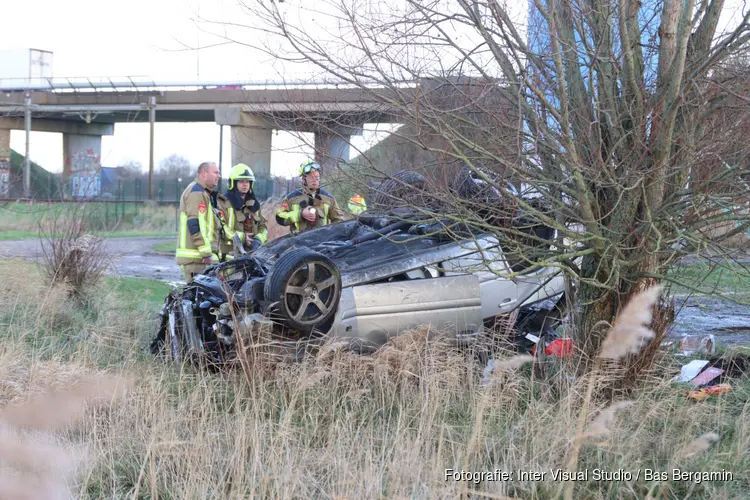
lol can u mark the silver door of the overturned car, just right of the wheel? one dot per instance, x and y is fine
(371, 314)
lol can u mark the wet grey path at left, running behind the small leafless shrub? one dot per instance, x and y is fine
(132, 257)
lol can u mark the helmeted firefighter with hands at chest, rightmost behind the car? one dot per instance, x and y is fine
(309, 207)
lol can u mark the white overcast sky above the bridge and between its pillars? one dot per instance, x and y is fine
(155, 39)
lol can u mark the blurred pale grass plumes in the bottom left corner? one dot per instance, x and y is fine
(38, 463)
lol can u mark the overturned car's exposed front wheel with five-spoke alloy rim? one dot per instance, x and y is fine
(307, 287)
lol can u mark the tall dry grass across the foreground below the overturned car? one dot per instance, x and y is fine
(344, 426)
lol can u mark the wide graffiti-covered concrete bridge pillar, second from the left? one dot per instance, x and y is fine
(82, 165)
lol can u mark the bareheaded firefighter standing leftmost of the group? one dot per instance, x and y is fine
(195, 244)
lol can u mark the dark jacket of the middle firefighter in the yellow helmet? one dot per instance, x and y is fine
(240, 215)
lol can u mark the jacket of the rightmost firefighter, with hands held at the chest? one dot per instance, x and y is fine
(290, 211)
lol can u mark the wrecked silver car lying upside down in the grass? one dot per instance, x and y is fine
(362, 281)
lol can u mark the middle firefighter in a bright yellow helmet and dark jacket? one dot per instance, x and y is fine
(240, 214)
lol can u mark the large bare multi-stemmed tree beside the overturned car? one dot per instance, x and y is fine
(606, 107)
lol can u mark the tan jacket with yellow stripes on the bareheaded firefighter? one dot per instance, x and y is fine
(197, 225)
